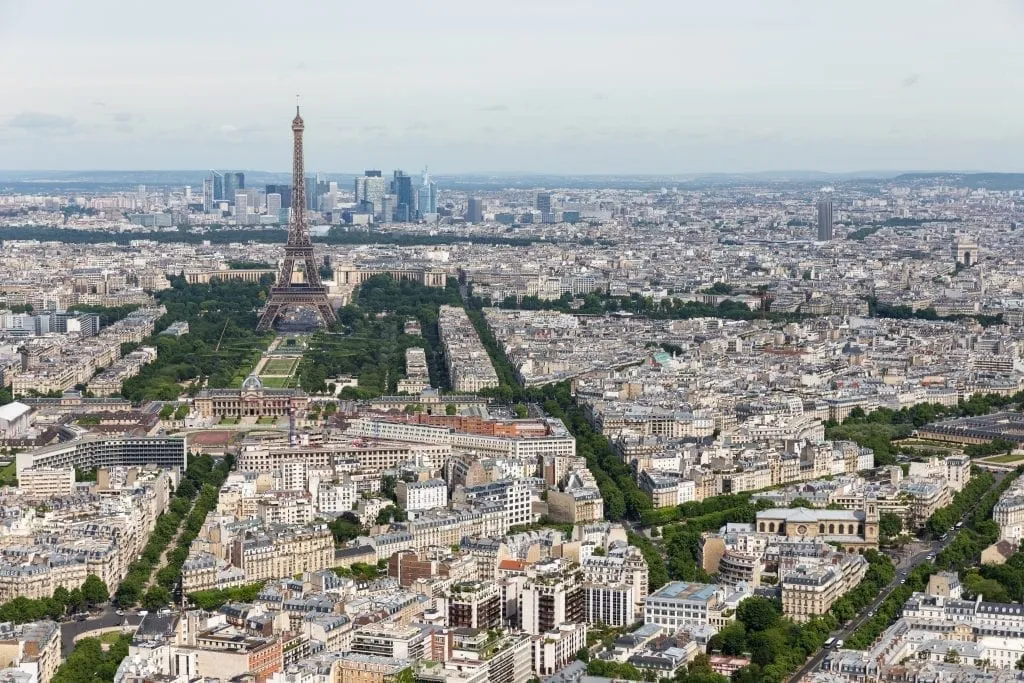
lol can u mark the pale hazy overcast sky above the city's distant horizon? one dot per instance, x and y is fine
(576, 87)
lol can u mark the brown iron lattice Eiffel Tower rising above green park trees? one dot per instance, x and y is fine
(300, 284)
